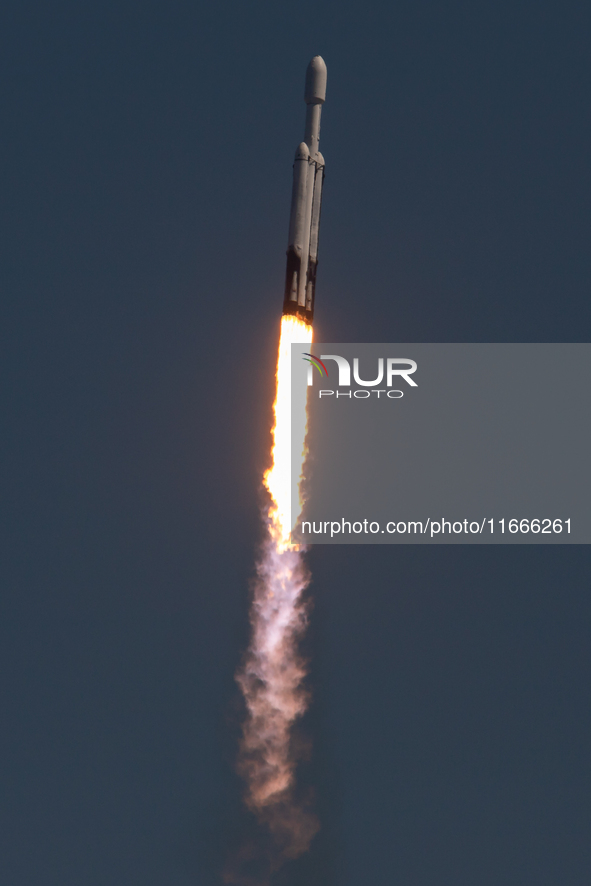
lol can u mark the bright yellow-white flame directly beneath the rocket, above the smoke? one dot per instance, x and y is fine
(278, 478)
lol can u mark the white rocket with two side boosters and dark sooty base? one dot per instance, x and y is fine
(306, 196)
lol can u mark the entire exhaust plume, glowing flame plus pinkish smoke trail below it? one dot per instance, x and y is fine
(272, 675)
